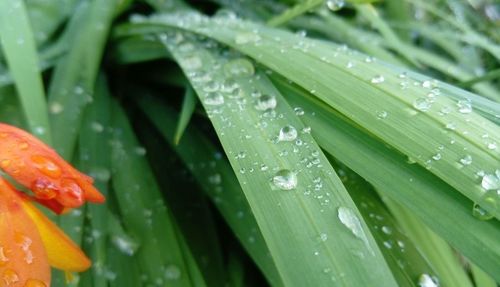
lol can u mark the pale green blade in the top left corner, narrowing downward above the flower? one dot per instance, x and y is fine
(19, 47)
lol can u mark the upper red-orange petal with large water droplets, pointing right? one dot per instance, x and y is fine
(54, 182)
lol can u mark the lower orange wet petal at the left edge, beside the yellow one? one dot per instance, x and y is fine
(23, 260)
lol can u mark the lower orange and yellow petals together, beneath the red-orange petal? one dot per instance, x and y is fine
(30, 243)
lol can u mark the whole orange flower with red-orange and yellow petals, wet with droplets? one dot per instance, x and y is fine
(29, 242)
